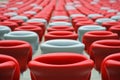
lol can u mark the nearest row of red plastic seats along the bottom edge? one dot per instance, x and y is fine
(63, 65)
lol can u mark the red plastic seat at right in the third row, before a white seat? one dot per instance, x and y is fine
(92, 36)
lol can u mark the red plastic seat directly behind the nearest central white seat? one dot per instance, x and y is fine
(60, 35)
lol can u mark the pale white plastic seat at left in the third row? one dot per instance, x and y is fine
(28, 36)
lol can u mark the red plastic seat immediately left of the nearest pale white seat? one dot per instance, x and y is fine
(20, 50)
